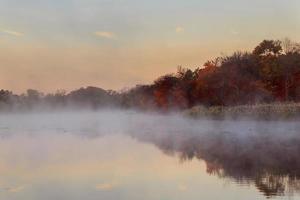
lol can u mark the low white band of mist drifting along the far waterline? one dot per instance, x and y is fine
(116, 121)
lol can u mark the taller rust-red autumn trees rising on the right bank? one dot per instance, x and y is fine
(271, 72)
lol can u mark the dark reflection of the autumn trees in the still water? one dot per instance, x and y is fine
(270, 161)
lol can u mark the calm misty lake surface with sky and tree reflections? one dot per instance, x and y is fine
(125, 155)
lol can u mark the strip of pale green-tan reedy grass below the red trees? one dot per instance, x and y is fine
(275, 111)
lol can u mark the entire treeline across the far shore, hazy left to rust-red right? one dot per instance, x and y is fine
(270, 73)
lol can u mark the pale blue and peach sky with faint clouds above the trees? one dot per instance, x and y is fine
(116, 44)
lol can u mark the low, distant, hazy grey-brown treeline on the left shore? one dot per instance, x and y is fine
(83, 98)
